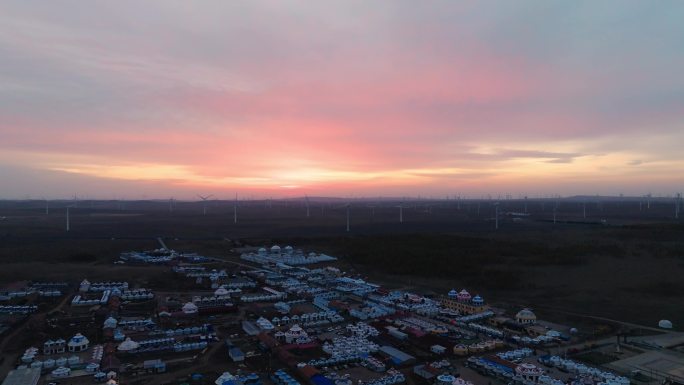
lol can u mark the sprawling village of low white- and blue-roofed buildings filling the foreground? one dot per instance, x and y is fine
(283, 316)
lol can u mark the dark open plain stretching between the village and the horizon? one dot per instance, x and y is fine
(624, 261)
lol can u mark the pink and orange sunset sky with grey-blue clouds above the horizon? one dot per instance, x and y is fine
(174, 98)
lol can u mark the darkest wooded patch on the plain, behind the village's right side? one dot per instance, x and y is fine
(497, 261)
